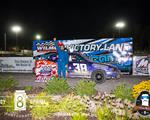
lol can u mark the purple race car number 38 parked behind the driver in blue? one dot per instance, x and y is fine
(78, 66)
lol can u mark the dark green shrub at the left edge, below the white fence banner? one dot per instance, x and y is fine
(8, 84)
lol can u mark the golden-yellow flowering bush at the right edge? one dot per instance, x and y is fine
(142, 86)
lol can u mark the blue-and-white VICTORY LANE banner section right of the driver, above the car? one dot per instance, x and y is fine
(116, 51)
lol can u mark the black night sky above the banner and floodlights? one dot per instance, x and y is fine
(74, 19)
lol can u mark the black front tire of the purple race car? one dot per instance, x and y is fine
(98, 76)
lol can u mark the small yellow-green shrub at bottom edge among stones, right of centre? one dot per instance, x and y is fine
(104, 113)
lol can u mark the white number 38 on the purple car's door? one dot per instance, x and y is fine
(80, 67)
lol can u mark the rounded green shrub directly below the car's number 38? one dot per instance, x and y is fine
(85, 88)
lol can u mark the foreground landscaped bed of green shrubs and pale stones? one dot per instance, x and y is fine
(80, 104)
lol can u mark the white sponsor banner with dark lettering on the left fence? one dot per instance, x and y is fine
(16, 64)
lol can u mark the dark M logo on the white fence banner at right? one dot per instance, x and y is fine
(142, 65)
